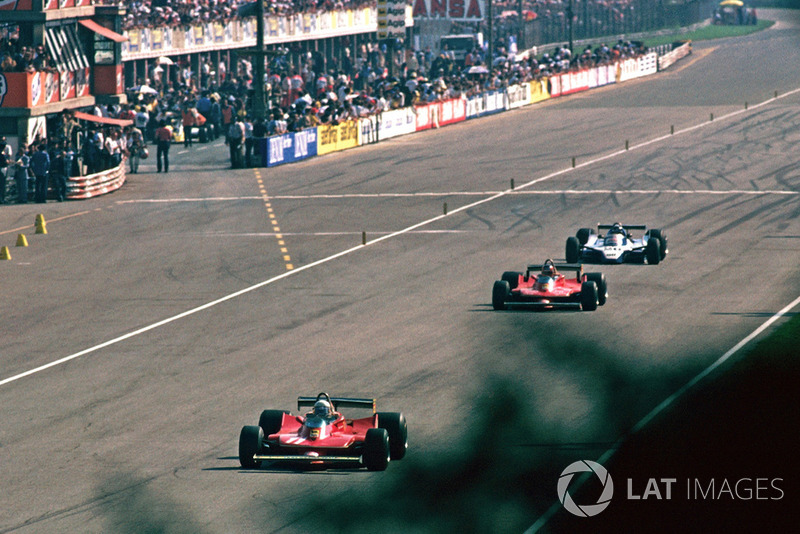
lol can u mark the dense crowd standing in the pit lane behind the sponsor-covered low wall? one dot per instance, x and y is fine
(299, 97)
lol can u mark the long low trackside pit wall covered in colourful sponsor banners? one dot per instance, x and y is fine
(291, 147)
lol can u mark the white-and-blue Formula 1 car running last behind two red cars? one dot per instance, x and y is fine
(618, 245)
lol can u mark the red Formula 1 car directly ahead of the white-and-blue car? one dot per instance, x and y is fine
(544, 286)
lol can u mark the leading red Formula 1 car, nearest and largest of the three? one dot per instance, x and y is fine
(324, 437)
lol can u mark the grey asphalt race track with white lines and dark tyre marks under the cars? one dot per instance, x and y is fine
(175, 319)
